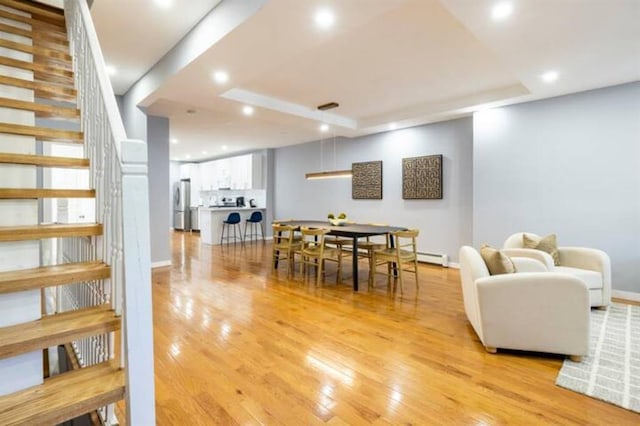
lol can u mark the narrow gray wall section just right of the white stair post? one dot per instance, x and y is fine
(159, 200)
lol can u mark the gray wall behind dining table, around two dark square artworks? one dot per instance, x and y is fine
(444, 224)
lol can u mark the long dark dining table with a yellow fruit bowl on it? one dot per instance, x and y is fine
(351, 230)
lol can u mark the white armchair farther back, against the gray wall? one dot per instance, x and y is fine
(590, 265)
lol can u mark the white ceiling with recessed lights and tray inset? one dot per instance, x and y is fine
(403, 61)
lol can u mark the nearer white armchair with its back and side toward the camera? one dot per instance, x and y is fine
(532, 311)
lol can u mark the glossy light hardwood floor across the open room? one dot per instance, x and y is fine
(238, 344)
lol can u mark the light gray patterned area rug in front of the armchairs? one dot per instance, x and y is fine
(611, 372)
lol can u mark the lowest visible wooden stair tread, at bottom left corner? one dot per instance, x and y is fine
(64, 396)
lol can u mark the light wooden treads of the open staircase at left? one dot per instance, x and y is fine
(68, 395)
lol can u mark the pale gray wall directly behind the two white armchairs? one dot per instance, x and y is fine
(568, 165)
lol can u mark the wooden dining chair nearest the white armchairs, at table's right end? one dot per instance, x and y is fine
(403, 257)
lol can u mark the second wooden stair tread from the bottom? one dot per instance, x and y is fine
(52, 330)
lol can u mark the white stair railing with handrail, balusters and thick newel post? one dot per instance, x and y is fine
(119, 175)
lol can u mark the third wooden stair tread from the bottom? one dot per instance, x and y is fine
(47, 276)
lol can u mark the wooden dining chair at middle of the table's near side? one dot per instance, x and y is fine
(314, 253)
